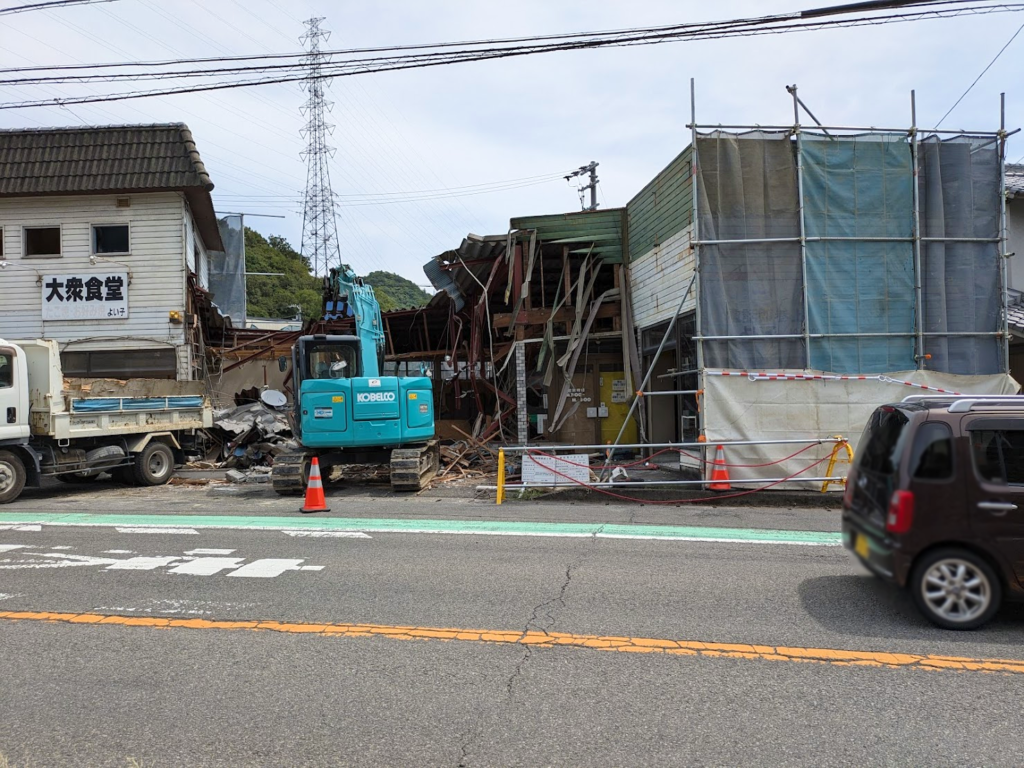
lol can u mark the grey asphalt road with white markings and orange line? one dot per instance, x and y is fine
(91, 677)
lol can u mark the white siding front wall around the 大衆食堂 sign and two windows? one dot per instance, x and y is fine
(156, 267)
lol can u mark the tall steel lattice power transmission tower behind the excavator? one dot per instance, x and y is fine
(320, 227)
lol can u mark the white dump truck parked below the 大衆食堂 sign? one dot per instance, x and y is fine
(75, 430)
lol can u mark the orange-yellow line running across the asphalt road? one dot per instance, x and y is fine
(552, 639)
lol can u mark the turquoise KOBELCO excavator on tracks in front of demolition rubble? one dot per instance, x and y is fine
(346, 411)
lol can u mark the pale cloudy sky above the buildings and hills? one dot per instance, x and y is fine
(452, 134)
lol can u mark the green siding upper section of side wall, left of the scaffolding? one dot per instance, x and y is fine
(662, 208)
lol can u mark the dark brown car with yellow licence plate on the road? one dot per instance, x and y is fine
(935, 503)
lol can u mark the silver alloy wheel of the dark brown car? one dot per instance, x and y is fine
(956, 589)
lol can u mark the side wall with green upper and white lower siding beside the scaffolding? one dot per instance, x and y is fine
(661, 254)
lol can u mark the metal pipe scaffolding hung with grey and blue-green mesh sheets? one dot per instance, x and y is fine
(775, 241)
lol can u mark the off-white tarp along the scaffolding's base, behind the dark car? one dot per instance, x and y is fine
(742, 407)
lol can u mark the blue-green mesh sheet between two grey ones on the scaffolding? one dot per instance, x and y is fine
(860, 187)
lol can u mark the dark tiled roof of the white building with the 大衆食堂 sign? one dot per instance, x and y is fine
(89, 160)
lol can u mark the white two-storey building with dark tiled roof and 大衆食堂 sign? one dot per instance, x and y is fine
(103, 230)
